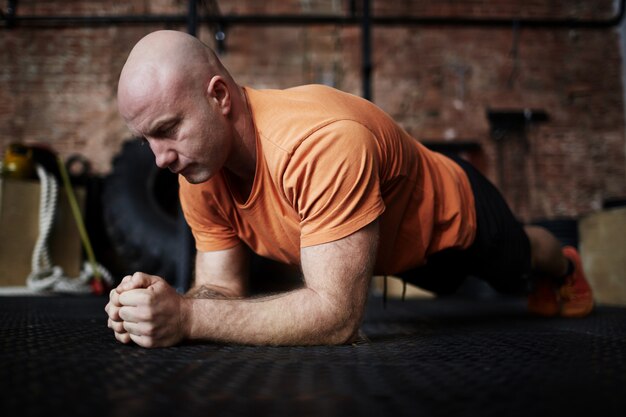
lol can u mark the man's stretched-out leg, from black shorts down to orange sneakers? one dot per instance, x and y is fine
(506, 255)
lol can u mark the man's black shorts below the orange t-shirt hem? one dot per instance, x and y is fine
(500, 253)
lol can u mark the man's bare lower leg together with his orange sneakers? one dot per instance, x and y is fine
(560, 285)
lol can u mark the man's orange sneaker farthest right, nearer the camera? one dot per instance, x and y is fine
(575, 293)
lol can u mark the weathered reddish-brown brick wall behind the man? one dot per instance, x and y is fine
(57, 85)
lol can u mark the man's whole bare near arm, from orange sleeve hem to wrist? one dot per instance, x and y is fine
(327, 311)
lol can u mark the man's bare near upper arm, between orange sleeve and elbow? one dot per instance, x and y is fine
(341, 271)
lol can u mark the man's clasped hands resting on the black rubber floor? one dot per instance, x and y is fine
(146, 310)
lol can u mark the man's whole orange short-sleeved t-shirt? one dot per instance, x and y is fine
(328, 164)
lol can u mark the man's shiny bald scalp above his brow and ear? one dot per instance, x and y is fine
(162, 61)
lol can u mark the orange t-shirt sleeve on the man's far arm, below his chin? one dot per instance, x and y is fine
(209, 226)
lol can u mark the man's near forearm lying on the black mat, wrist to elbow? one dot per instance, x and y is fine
(301, 317)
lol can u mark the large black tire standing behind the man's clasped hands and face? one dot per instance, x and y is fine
(142, 215)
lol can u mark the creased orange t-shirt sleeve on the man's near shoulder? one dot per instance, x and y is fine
(332, 181)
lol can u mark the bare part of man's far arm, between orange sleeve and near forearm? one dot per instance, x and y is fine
(226, 270)
